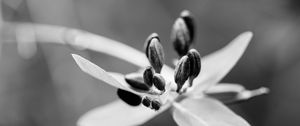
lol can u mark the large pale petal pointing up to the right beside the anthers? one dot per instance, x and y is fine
(216, 65)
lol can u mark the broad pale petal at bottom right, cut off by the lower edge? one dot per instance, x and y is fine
(211, 111)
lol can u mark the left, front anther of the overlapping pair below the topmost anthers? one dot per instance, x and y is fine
(182, 72)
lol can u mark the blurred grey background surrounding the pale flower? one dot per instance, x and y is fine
(40, 84)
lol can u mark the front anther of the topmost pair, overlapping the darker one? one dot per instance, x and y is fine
(180, 37)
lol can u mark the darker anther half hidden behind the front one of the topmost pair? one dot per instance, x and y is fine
(190, 23)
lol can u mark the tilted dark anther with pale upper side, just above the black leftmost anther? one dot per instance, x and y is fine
(136, 81)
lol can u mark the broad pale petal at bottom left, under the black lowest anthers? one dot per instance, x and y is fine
(119, 113)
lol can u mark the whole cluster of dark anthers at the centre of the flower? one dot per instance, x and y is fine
(151, 82)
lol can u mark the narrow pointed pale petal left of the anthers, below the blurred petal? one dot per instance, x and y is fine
(97, 72)
